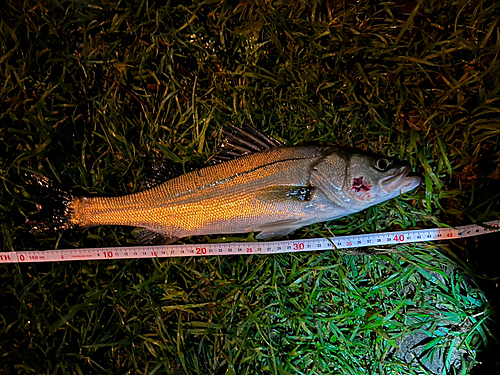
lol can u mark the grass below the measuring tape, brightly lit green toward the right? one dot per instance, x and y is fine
(405, 310)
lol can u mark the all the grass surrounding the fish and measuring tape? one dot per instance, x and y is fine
(92, 92)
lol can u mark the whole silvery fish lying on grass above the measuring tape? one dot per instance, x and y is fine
(259, 185)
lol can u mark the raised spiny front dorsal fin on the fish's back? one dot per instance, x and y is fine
(243, 142)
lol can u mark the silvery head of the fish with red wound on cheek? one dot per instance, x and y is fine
(371, 180)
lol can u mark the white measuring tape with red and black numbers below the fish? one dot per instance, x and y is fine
(238, 248)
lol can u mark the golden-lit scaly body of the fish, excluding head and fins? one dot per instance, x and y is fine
(220, 196)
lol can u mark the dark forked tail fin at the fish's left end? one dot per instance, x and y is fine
(53, 204)
